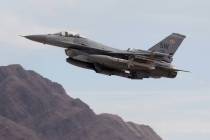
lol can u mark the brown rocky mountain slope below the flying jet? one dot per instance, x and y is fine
(33, 107)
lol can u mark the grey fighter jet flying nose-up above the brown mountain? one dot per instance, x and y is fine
(132, 63)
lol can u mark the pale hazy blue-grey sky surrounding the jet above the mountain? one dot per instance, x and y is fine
(176, 108)
